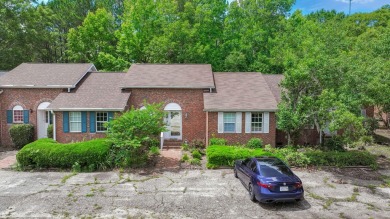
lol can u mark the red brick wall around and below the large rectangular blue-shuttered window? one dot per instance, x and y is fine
(73, 137)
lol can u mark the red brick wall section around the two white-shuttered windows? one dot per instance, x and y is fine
(242, 138)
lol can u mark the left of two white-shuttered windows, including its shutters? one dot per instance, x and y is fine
(229, 122)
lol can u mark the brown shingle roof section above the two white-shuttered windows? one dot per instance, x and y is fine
(240, 92)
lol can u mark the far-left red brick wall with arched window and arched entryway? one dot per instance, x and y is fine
(29, 98)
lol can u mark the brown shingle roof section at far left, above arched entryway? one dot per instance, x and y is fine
(33, 75)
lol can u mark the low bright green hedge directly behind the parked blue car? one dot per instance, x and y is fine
(220, 155)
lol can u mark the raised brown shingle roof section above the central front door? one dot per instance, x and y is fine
(169, 76)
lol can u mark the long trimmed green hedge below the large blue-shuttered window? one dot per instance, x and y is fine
(47, 153)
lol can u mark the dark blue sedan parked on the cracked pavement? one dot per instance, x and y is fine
(268, 179)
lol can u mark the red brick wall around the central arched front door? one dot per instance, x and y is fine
(190, 101)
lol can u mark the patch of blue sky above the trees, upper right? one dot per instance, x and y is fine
(308, 6)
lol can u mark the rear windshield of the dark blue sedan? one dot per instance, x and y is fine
(273, 168)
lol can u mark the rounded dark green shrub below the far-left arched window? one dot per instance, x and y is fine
(22, 134)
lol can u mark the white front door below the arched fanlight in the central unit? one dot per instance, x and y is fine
(173, 124)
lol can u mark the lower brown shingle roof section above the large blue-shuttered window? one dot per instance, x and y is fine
(99, 92)
